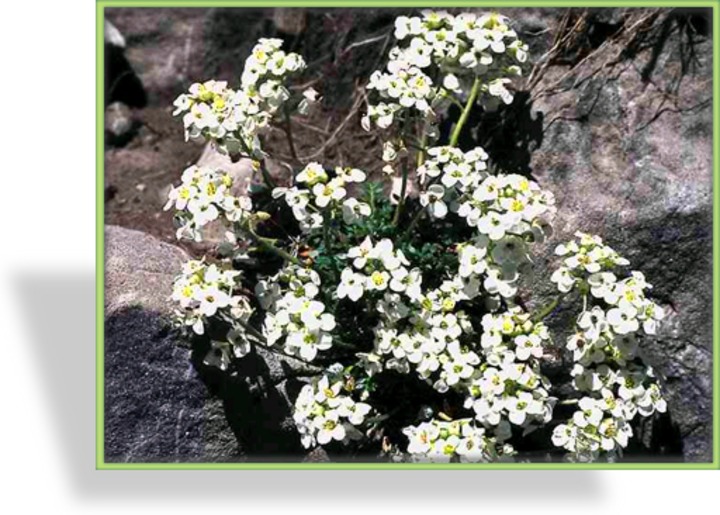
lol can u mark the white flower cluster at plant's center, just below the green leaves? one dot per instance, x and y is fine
(375, 268)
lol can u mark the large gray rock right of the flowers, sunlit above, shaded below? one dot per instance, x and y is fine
(628, 153)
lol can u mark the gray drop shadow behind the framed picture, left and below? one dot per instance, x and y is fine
(63, 344)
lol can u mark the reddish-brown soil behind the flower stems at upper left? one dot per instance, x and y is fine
(169, 49)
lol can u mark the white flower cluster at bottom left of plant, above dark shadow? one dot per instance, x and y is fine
(325, 412)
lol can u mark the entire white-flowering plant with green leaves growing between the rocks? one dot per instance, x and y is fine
(413, 296)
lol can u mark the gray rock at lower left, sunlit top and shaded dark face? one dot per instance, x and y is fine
(157, 408)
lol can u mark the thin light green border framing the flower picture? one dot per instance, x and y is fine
(100, 236)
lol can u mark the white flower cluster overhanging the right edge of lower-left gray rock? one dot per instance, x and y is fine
(202, 291)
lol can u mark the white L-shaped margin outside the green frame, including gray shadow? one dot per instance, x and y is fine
(47, 212)
